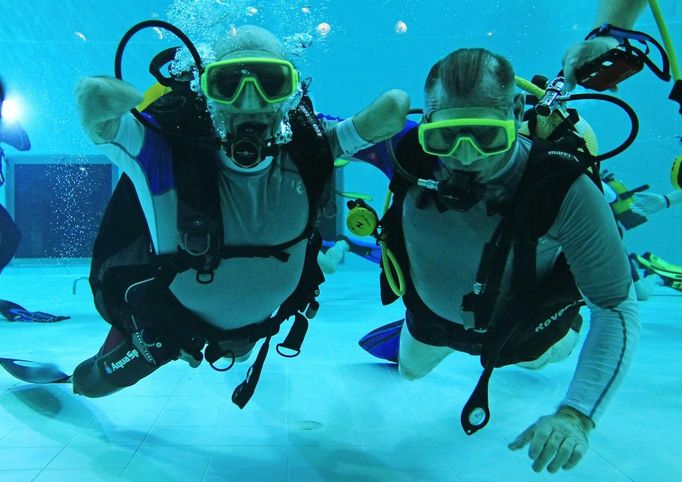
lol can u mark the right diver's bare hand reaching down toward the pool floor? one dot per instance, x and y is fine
(562, 436)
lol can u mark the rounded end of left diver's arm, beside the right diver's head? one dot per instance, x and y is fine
(384, 118)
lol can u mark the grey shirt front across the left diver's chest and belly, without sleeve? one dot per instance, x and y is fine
(263, 208)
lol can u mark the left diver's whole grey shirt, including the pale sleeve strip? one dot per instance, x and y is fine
(263, 206)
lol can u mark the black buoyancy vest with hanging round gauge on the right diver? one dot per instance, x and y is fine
(536, 315)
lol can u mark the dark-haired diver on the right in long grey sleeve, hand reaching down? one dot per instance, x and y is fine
(494, 242)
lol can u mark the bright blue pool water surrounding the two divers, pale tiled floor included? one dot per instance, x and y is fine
(46, 46)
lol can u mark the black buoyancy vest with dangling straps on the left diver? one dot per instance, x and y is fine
(131, 283)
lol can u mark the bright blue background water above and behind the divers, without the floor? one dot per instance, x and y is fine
(46, 47)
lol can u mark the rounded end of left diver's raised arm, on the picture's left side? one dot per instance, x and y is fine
(102, 101)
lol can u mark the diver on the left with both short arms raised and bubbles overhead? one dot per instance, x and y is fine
(213, 228)
